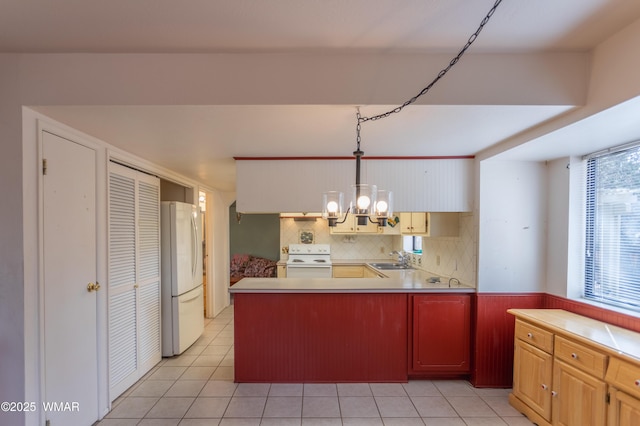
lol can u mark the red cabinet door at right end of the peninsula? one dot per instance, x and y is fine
(441, 335)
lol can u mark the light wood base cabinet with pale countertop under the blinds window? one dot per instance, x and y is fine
(571, 370)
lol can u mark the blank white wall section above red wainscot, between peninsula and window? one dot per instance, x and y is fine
(512, 227)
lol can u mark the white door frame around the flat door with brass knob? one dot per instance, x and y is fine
(33, 126)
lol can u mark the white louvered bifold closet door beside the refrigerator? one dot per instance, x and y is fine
(134, 276)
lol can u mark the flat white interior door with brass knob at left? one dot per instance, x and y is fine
(69, 261)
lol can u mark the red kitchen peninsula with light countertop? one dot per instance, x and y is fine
(291, 330)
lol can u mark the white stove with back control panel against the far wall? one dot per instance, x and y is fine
(309, 261)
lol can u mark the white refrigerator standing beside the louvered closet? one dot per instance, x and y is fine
(182, 294)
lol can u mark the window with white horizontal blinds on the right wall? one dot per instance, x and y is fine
(612, 256)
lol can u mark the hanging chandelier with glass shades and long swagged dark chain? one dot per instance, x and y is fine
(367, 200)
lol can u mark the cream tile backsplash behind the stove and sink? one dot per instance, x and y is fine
(443, 256)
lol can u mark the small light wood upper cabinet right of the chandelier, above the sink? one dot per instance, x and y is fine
(430, 224)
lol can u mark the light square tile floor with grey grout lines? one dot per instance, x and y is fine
(197, 388)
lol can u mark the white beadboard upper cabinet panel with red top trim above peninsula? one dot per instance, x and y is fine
(276, 185)
